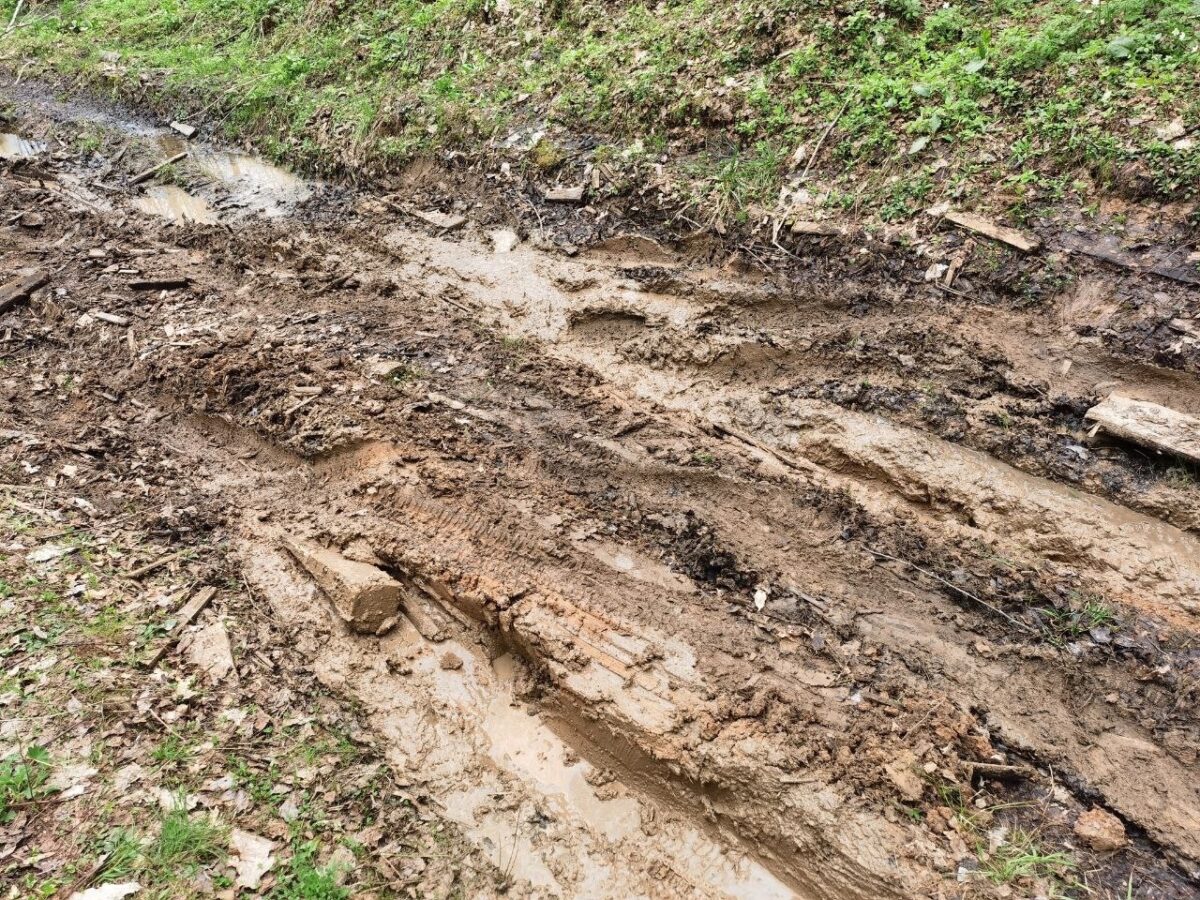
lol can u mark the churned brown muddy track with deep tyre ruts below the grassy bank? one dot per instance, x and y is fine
(763, 572)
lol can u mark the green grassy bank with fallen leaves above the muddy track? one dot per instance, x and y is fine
(1024, 101)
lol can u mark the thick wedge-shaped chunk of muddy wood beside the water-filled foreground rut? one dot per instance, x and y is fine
(367, 598)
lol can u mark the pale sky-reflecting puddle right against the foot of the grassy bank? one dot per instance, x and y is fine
(254, 184)
